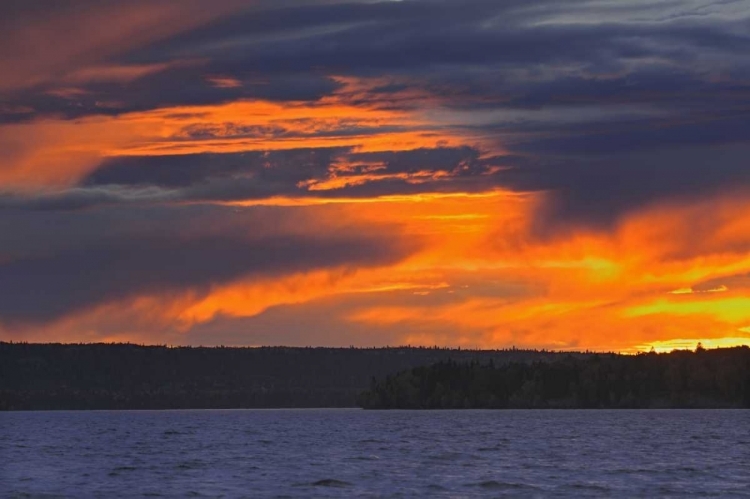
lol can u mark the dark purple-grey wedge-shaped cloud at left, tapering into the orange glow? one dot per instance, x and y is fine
(44, 278)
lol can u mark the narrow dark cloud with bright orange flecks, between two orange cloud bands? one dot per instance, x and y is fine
(257, 175)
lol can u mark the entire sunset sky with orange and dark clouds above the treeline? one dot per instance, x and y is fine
(567, 175)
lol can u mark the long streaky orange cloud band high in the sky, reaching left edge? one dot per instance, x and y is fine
(54, 152)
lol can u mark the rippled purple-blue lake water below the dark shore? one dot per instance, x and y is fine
(354, 453)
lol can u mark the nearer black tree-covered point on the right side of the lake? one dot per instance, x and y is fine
(704, 378)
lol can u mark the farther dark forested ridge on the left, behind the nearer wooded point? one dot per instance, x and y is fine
(124, 376)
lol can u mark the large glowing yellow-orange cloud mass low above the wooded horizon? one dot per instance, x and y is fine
(482, 280)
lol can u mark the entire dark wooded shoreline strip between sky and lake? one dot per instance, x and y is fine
(114, 377)
